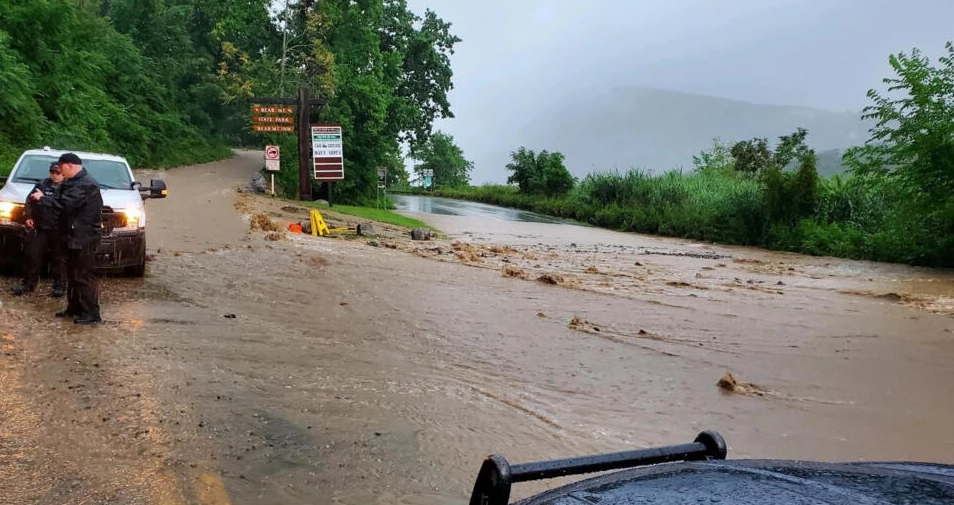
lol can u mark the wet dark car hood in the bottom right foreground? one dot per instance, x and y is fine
(737, 482)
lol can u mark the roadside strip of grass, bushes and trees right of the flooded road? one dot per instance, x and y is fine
(895, 204)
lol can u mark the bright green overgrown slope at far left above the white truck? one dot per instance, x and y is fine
(92, 88)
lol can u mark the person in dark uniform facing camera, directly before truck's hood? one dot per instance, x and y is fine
(44, 239)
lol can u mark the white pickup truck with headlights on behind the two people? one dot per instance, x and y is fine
(124, 212)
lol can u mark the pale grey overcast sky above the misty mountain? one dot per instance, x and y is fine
(519, 57)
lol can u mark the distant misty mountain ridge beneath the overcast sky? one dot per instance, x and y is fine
(659, 130)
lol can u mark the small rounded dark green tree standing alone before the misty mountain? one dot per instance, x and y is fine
(540, 174)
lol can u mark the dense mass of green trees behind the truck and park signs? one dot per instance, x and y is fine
(168, 82)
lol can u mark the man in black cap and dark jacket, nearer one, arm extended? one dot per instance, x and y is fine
(80, 207)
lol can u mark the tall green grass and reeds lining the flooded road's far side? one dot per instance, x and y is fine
(847, 217)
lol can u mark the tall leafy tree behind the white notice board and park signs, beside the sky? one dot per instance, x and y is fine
(391, 77)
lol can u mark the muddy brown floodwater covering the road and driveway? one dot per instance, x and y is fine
(253, 367)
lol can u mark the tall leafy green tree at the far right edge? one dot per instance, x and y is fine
(911, 149)
